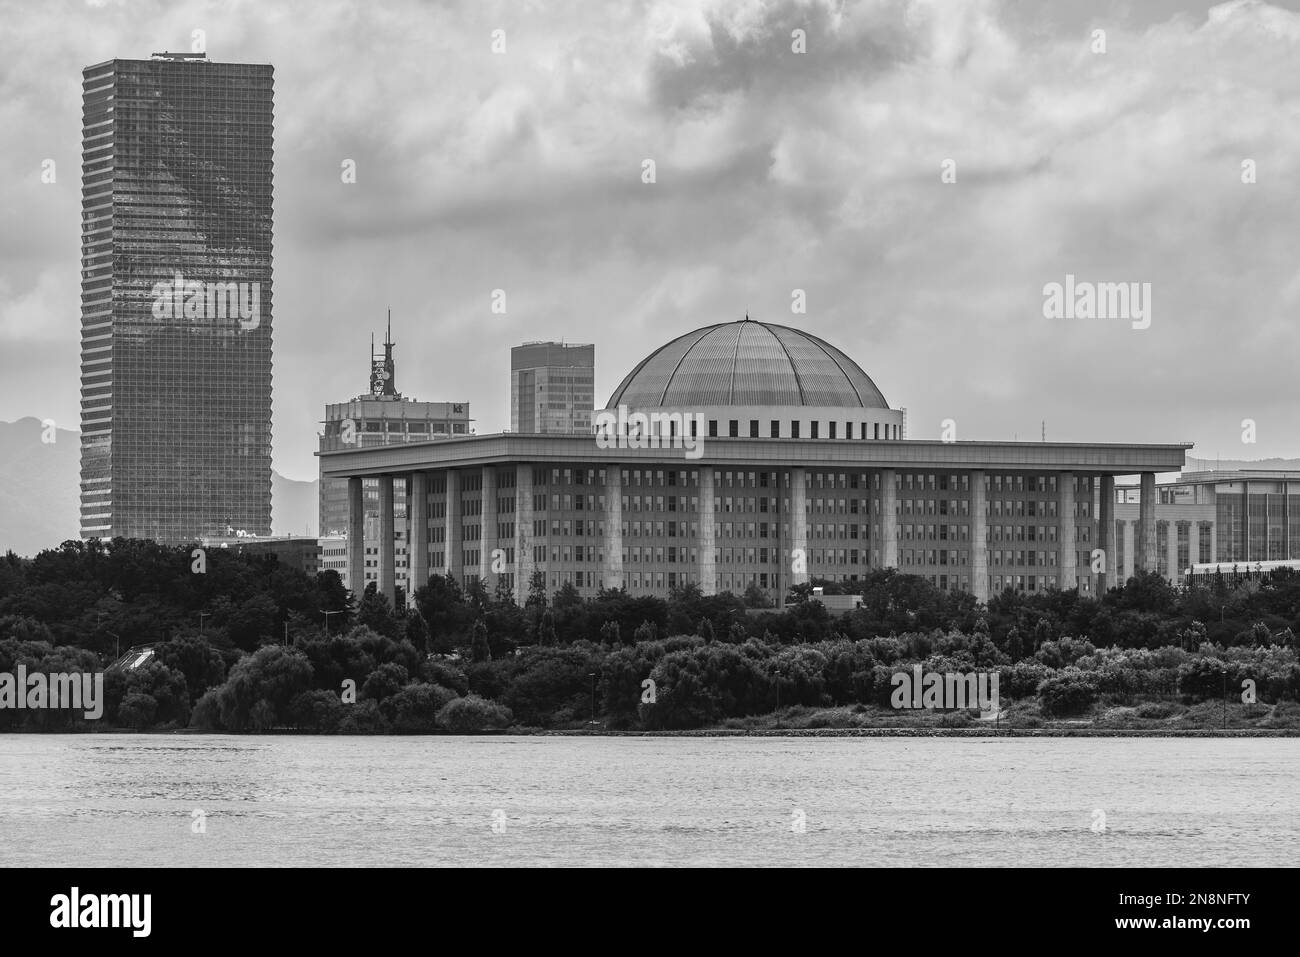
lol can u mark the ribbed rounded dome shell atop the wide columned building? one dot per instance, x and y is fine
(748, 363)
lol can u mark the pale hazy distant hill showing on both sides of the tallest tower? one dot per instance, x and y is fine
(41, 487)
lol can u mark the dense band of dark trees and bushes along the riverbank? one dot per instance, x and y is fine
(249, 646)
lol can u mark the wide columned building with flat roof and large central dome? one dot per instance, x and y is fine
(752, 456)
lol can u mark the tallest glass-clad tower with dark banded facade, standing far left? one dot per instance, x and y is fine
(176, 298)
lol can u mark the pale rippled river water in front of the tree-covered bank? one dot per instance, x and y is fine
(135, 800)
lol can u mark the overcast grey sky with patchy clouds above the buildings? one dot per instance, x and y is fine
(775, 171)
